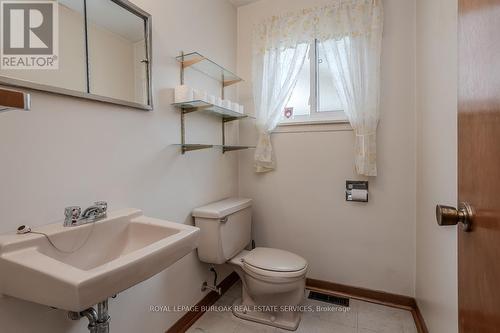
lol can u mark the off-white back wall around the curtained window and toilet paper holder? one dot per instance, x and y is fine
(301, 207)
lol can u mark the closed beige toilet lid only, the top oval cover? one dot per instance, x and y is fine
(274, 260)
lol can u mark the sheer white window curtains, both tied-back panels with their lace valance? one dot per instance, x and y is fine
(351, 33)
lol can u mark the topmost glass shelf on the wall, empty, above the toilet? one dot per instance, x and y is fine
(208, 67)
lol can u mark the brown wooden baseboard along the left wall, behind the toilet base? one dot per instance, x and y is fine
(186, 321)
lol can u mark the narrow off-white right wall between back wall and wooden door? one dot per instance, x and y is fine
(436, 280)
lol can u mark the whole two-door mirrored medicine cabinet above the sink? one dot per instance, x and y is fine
(104, 53)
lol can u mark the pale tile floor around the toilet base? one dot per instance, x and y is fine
(361, 317)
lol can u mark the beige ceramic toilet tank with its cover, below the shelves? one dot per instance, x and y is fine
(225, 229)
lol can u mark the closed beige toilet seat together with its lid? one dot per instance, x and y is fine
(274, 263)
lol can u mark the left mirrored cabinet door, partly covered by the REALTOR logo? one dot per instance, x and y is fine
(71, 74)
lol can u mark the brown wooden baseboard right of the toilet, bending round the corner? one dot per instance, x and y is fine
(373, 296)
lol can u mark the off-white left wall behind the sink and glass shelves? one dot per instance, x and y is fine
(68, 151)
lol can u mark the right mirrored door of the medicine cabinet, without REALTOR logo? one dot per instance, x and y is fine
(118, 66)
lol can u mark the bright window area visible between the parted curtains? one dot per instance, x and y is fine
(314, 98)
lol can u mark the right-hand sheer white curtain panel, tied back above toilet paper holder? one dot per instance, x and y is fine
(354, 61)
